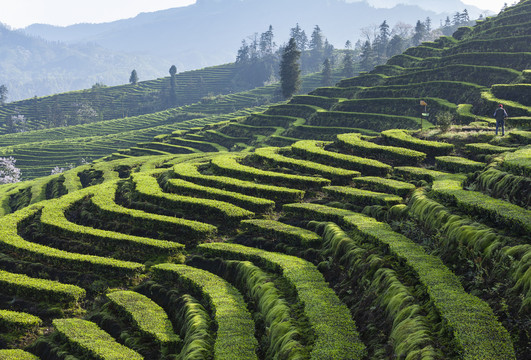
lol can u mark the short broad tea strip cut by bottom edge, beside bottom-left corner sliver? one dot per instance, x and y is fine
(88, 339)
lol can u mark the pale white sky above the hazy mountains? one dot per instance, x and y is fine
(21, 13)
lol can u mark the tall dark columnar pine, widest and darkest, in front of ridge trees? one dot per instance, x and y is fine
(290, 69)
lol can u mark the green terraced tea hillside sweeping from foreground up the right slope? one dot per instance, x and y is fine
(330, 226)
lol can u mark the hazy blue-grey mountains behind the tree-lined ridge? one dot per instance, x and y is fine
(204, 34)
